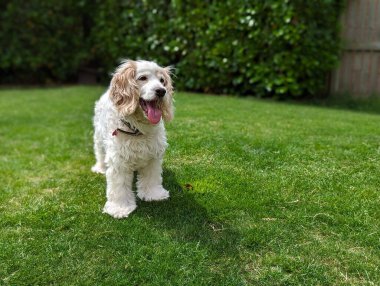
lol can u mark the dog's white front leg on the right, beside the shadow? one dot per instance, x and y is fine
(149, 182)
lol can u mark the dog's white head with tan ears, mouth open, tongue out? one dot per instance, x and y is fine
(143, 89)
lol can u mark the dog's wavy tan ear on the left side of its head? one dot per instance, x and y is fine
(124, 90)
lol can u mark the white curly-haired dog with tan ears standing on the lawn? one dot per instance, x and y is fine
(130, 134)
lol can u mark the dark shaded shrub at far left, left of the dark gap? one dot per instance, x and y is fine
(42, 41)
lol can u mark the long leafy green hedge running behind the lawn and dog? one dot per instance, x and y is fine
(277, 47)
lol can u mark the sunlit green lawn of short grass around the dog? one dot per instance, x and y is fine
(262, 193)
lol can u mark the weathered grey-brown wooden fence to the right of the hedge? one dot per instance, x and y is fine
(359, 71)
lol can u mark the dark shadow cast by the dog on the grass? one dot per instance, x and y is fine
(186, 220)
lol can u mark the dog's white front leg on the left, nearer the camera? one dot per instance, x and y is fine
(120, 198)
